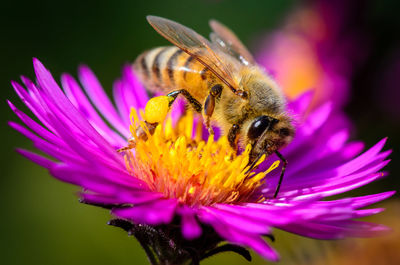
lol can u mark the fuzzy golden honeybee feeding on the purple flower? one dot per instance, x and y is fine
(221, 80)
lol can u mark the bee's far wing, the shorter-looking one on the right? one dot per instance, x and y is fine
(228, 42)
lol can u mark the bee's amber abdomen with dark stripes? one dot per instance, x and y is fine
(169, 68)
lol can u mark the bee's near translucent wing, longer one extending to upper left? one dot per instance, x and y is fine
(195, 45)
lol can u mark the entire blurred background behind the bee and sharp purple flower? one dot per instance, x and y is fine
(356, 41)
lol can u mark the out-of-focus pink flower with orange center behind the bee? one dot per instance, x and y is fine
(317, 49)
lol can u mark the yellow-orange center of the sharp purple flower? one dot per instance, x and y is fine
(194, 171)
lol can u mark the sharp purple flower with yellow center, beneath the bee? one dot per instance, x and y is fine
(149, 188)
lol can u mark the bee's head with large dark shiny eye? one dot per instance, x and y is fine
(267, 134)
